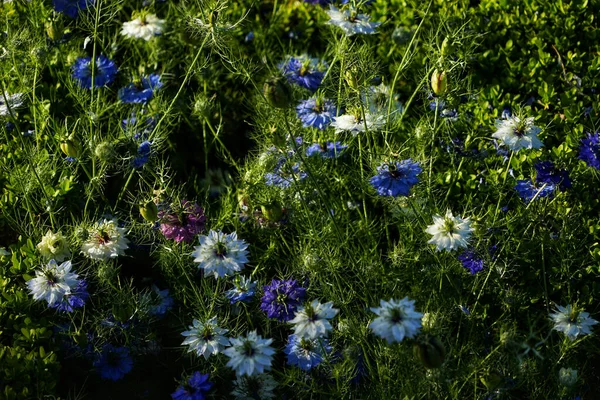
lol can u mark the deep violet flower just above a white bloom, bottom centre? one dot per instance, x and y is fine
(281, 299)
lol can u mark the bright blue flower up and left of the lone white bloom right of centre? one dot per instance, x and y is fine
(396, 179)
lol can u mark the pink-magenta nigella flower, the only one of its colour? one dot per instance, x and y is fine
(182, 223)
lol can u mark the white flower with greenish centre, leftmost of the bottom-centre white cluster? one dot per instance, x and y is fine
(205, 338)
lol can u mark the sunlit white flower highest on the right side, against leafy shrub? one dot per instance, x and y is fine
(518, 134)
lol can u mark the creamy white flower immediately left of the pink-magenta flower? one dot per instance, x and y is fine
(105, 240)
